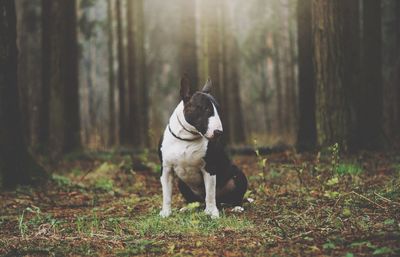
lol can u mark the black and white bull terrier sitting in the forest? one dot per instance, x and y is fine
(190, 149)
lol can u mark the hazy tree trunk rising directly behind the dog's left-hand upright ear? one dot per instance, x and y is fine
(188, 56)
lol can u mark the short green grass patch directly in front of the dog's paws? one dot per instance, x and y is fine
(193, 222)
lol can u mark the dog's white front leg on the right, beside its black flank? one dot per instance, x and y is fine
(210, 182)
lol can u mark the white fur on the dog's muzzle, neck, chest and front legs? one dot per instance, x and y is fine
(186, 160)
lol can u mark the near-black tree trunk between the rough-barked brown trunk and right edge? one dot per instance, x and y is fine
(369, 113)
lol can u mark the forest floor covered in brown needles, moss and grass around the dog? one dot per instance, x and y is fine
(107, 205)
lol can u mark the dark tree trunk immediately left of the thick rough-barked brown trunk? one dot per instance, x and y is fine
(306, 135)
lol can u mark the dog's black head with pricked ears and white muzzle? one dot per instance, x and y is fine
(201, 109)
